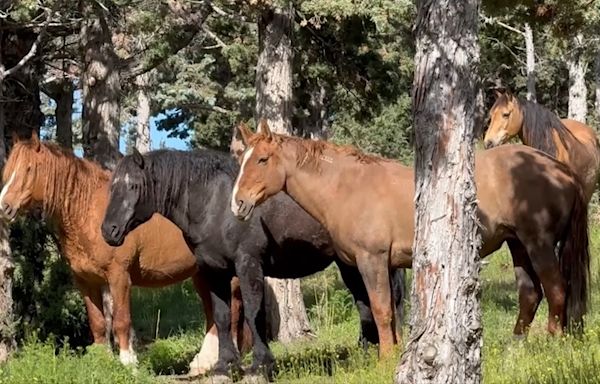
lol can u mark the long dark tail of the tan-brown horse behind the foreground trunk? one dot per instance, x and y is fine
(575, 261)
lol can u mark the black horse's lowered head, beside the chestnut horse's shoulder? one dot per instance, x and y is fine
(129, 202)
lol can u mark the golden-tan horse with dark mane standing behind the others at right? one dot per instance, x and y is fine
(569, 141)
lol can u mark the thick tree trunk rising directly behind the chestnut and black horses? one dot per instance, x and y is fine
(101, 87)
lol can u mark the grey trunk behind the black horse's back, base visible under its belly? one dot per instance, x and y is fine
(286, 313)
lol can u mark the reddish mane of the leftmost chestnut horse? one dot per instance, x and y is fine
(68, 181)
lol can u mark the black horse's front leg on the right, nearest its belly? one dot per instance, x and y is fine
(250, 273)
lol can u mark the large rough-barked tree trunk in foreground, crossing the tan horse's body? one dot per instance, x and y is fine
(446, 334)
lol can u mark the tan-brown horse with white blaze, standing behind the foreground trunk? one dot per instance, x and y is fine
(367, 203)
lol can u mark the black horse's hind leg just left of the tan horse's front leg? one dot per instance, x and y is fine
(354, 282)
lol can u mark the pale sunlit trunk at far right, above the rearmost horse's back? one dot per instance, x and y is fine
(577, 89)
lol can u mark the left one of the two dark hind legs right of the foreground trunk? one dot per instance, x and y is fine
(530, 290)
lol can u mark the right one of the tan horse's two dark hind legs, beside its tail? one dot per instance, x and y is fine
(547, 268)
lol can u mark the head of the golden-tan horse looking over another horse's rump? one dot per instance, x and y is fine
(506, 120)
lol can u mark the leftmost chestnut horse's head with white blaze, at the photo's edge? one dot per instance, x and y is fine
(20, 177)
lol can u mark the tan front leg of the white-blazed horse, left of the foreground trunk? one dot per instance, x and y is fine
(375, 272)
